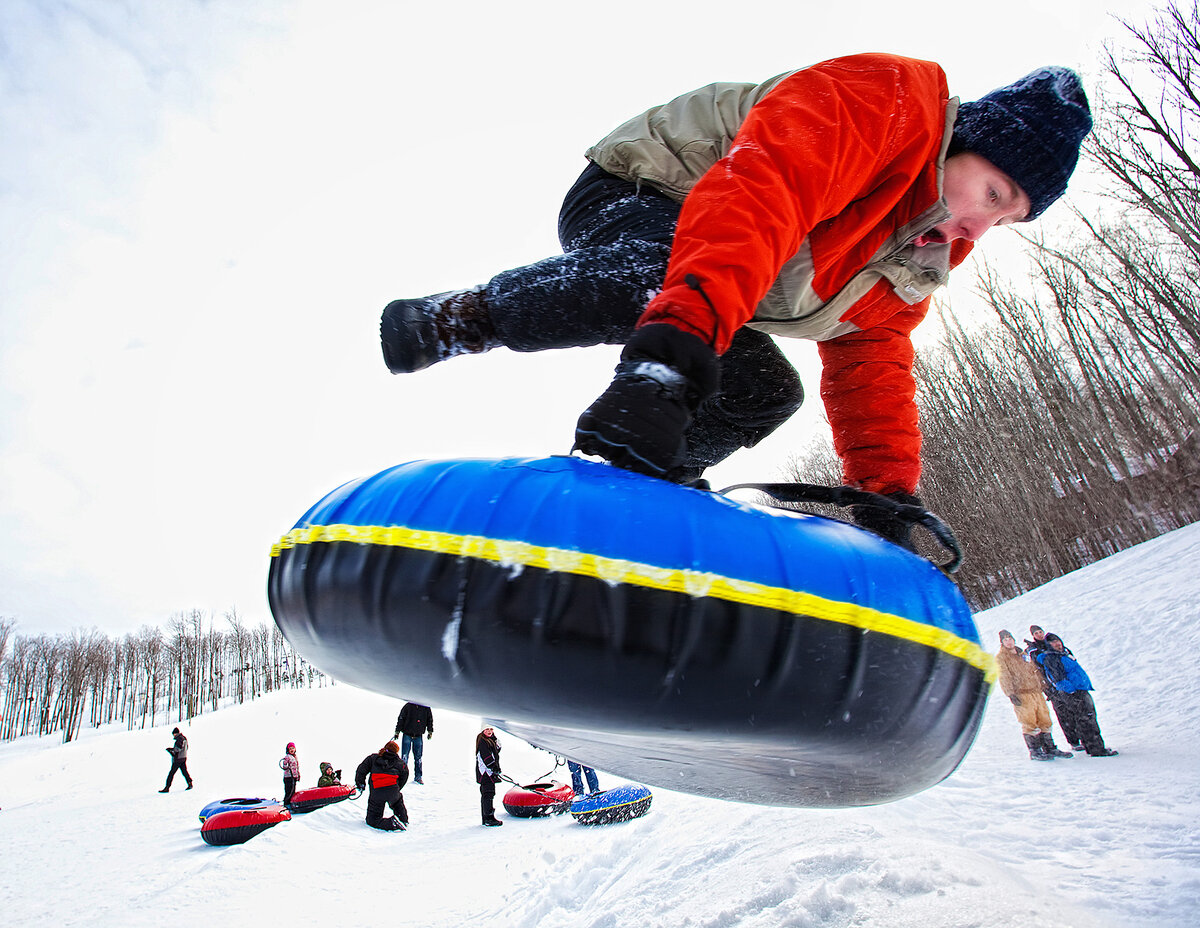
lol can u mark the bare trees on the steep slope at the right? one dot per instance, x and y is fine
(1065, 429)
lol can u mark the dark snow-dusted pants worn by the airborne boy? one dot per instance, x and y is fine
(617, 241)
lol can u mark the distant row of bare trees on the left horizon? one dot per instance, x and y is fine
(58, 684)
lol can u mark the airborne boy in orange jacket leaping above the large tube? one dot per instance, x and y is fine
(827, 205)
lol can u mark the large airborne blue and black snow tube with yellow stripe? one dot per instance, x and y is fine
(661, 633)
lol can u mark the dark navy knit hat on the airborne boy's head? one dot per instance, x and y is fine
(1031, 130)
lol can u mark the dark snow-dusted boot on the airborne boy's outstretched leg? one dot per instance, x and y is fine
(417, 334)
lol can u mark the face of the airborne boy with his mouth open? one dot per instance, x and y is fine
(980, 197)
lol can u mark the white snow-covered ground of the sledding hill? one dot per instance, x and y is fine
(88, 841)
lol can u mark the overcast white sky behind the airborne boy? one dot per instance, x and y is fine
(206, 206)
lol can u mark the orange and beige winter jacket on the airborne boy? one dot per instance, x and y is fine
(801, 201)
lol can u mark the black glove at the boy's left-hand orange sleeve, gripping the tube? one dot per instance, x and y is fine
(639, 423)
